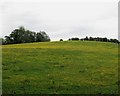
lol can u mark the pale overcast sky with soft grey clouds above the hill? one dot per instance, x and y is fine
(61, 19)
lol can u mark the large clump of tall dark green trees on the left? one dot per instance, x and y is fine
(21, 35)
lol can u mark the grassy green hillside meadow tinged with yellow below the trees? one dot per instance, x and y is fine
(68, 67)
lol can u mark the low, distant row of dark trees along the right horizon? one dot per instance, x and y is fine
(96, 39)
